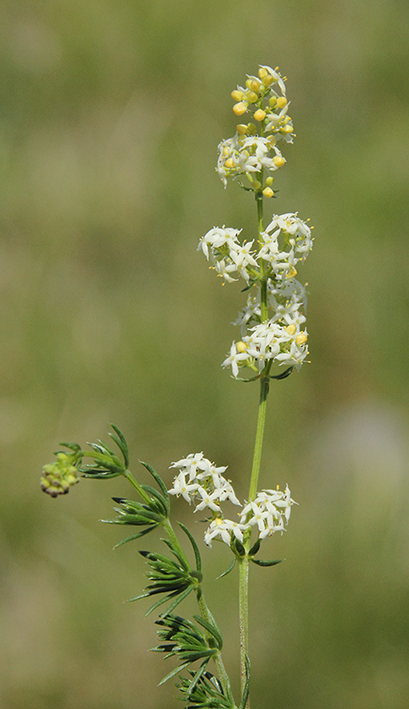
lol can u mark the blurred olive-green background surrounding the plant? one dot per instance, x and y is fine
(111, 111)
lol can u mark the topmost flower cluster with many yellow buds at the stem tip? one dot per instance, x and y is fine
(264, 99)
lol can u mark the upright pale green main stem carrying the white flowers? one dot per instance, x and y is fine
(255, 471)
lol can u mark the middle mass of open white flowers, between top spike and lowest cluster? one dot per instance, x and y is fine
(285, 243)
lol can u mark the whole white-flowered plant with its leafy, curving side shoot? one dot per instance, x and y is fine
(272, 335)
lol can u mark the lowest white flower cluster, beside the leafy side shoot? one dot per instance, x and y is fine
(201, 482)
